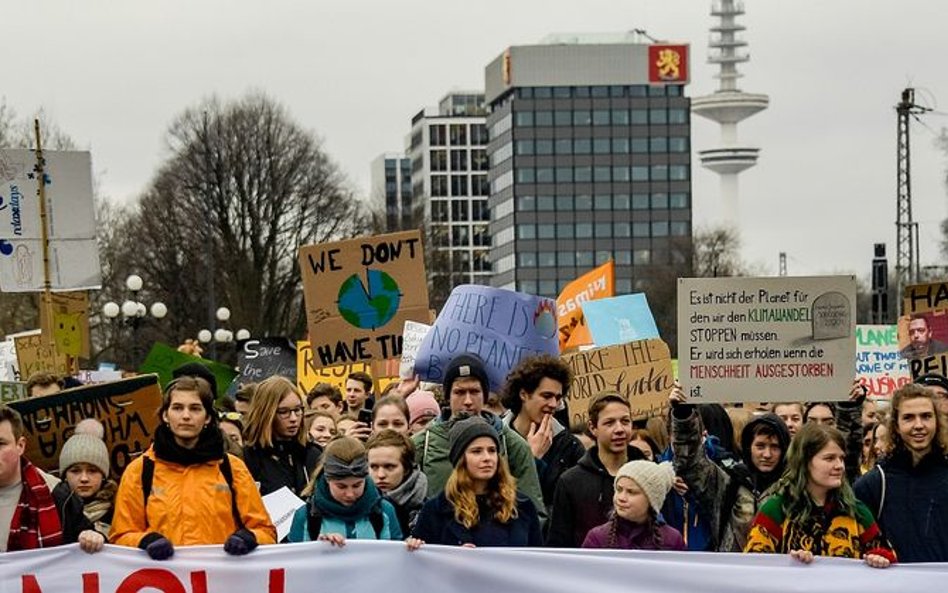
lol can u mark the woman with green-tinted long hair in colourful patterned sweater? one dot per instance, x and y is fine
(814, 511)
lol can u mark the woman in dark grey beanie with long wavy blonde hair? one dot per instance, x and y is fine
(480, 505)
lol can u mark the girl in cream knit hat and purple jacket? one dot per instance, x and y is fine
(640, 490)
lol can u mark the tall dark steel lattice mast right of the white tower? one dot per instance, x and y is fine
(906, 230)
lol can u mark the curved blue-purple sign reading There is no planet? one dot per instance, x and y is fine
(499, 326)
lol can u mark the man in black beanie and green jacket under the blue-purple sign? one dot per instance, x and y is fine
(466, 386)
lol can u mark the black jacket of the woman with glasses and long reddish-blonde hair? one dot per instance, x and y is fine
(286, 463)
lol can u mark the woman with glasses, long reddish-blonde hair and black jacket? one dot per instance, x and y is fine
(276, 450)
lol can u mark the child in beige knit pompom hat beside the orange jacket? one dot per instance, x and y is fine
(84, 469)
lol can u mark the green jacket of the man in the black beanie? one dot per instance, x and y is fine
(431, 453)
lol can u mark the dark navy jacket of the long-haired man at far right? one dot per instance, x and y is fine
(914, 514)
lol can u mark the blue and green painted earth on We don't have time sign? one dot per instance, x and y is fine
(369, 306)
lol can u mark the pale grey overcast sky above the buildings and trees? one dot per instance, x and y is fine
(114, 74)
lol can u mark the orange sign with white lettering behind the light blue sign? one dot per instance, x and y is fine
(595, 284)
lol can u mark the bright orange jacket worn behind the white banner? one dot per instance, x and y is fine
(189, 505)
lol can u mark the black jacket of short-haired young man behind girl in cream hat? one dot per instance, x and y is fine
(583, 500)
